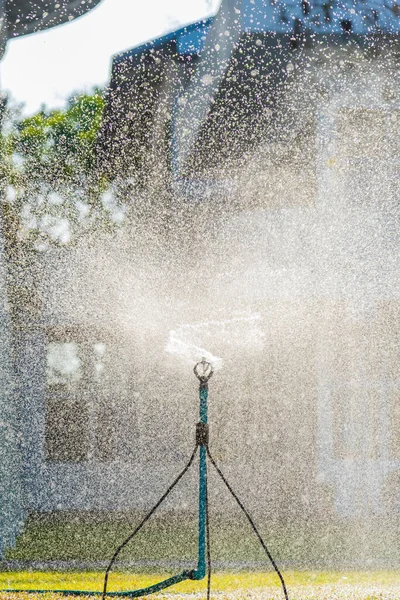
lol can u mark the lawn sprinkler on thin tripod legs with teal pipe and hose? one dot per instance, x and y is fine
(203, 371)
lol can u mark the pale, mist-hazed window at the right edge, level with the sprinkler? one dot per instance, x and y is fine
(366, 389)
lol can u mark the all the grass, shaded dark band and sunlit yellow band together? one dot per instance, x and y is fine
(310, 546)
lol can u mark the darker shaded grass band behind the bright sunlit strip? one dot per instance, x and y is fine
(171, 537)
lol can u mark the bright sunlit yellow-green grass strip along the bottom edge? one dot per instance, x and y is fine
(302, 585)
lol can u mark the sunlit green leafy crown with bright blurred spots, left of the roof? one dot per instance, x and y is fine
(53, 187)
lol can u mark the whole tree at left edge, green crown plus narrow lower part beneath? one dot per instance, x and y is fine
(52, 192)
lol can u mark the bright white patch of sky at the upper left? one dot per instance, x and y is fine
(48, 67)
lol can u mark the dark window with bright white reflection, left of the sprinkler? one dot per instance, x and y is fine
(80, 412)
